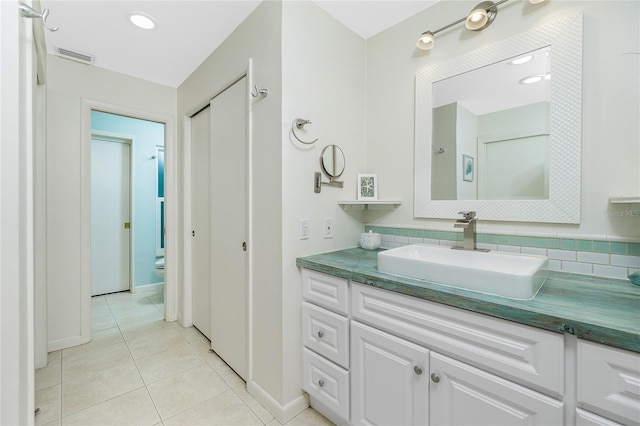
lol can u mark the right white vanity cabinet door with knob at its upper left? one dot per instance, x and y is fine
(464, 395)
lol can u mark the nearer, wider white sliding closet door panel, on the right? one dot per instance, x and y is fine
(229, 300)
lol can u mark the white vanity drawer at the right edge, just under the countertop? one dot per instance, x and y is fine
(609, 382)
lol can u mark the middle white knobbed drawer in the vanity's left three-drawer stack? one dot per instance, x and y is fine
(326, 333)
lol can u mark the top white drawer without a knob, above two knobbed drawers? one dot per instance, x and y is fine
(326, 290)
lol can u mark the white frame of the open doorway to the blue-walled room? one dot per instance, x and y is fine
(171, 185)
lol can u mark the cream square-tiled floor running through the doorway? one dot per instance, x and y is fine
(140, 370)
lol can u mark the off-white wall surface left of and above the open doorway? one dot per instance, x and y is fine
(69, 83)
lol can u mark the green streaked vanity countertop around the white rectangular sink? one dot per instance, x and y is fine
(597, 309)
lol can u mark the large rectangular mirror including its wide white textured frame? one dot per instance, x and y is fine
(510, 161)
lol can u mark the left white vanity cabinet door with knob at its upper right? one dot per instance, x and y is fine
(389, 384)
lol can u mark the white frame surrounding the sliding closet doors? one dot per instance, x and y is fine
(187, 313)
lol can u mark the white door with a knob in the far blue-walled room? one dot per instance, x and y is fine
(110, 216)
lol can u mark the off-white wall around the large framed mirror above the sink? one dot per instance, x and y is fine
(610, 154)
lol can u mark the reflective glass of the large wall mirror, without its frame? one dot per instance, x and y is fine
(499, 116)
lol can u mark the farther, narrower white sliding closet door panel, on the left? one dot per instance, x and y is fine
(200, 218)
